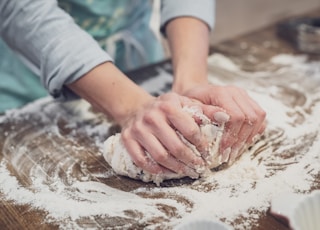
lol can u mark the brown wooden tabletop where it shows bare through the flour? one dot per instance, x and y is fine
(28, 132)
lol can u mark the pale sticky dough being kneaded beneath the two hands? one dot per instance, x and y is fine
(119, 159)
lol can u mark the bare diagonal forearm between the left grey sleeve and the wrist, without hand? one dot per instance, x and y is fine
(111, 92)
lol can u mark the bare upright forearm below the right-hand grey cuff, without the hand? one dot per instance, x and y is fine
(189, 45)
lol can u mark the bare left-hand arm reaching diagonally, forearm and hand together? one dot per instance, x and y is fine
(149, 124)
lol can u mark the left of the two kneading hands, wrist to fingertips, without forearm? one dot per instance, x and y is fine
(150, 137)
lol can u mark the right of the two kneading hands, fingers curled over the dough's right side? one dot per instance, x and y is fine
(247, 118)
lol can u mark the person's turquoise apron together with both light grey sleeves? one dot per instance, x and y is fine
(46, 41)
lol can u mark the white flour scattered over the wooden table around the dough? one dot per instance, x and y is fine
(286, 160)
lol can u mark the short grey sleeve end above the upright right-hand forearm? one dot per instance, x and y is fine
(201, 9)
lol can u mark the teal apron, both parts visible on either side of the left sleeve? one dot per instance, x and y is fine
(119, 26)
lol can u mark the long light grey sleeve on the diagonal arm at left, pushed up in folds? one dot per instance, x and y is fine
(50, 40)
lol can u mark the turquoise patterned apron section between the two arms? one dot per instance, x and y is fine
(120, 27)
